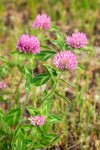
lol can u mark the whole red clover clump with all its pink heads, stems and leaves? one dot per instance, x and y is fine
(24, 125)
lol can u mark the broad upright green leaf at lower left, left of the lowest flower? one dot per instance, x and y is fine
(13, 116)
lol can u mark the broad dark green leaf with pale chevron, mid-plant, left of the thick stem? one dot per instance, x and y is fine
(40, 79)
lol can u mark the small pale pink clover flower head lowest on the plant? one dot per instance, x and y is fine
(37, 120)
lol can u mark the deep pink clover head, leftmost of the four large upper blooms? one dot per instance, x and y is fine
(28, 44)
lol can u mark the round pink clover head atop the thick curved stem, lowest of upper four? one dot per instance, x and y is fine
(65, 60)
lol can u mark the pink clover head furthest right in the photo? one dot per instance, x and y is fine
(77, 40)
